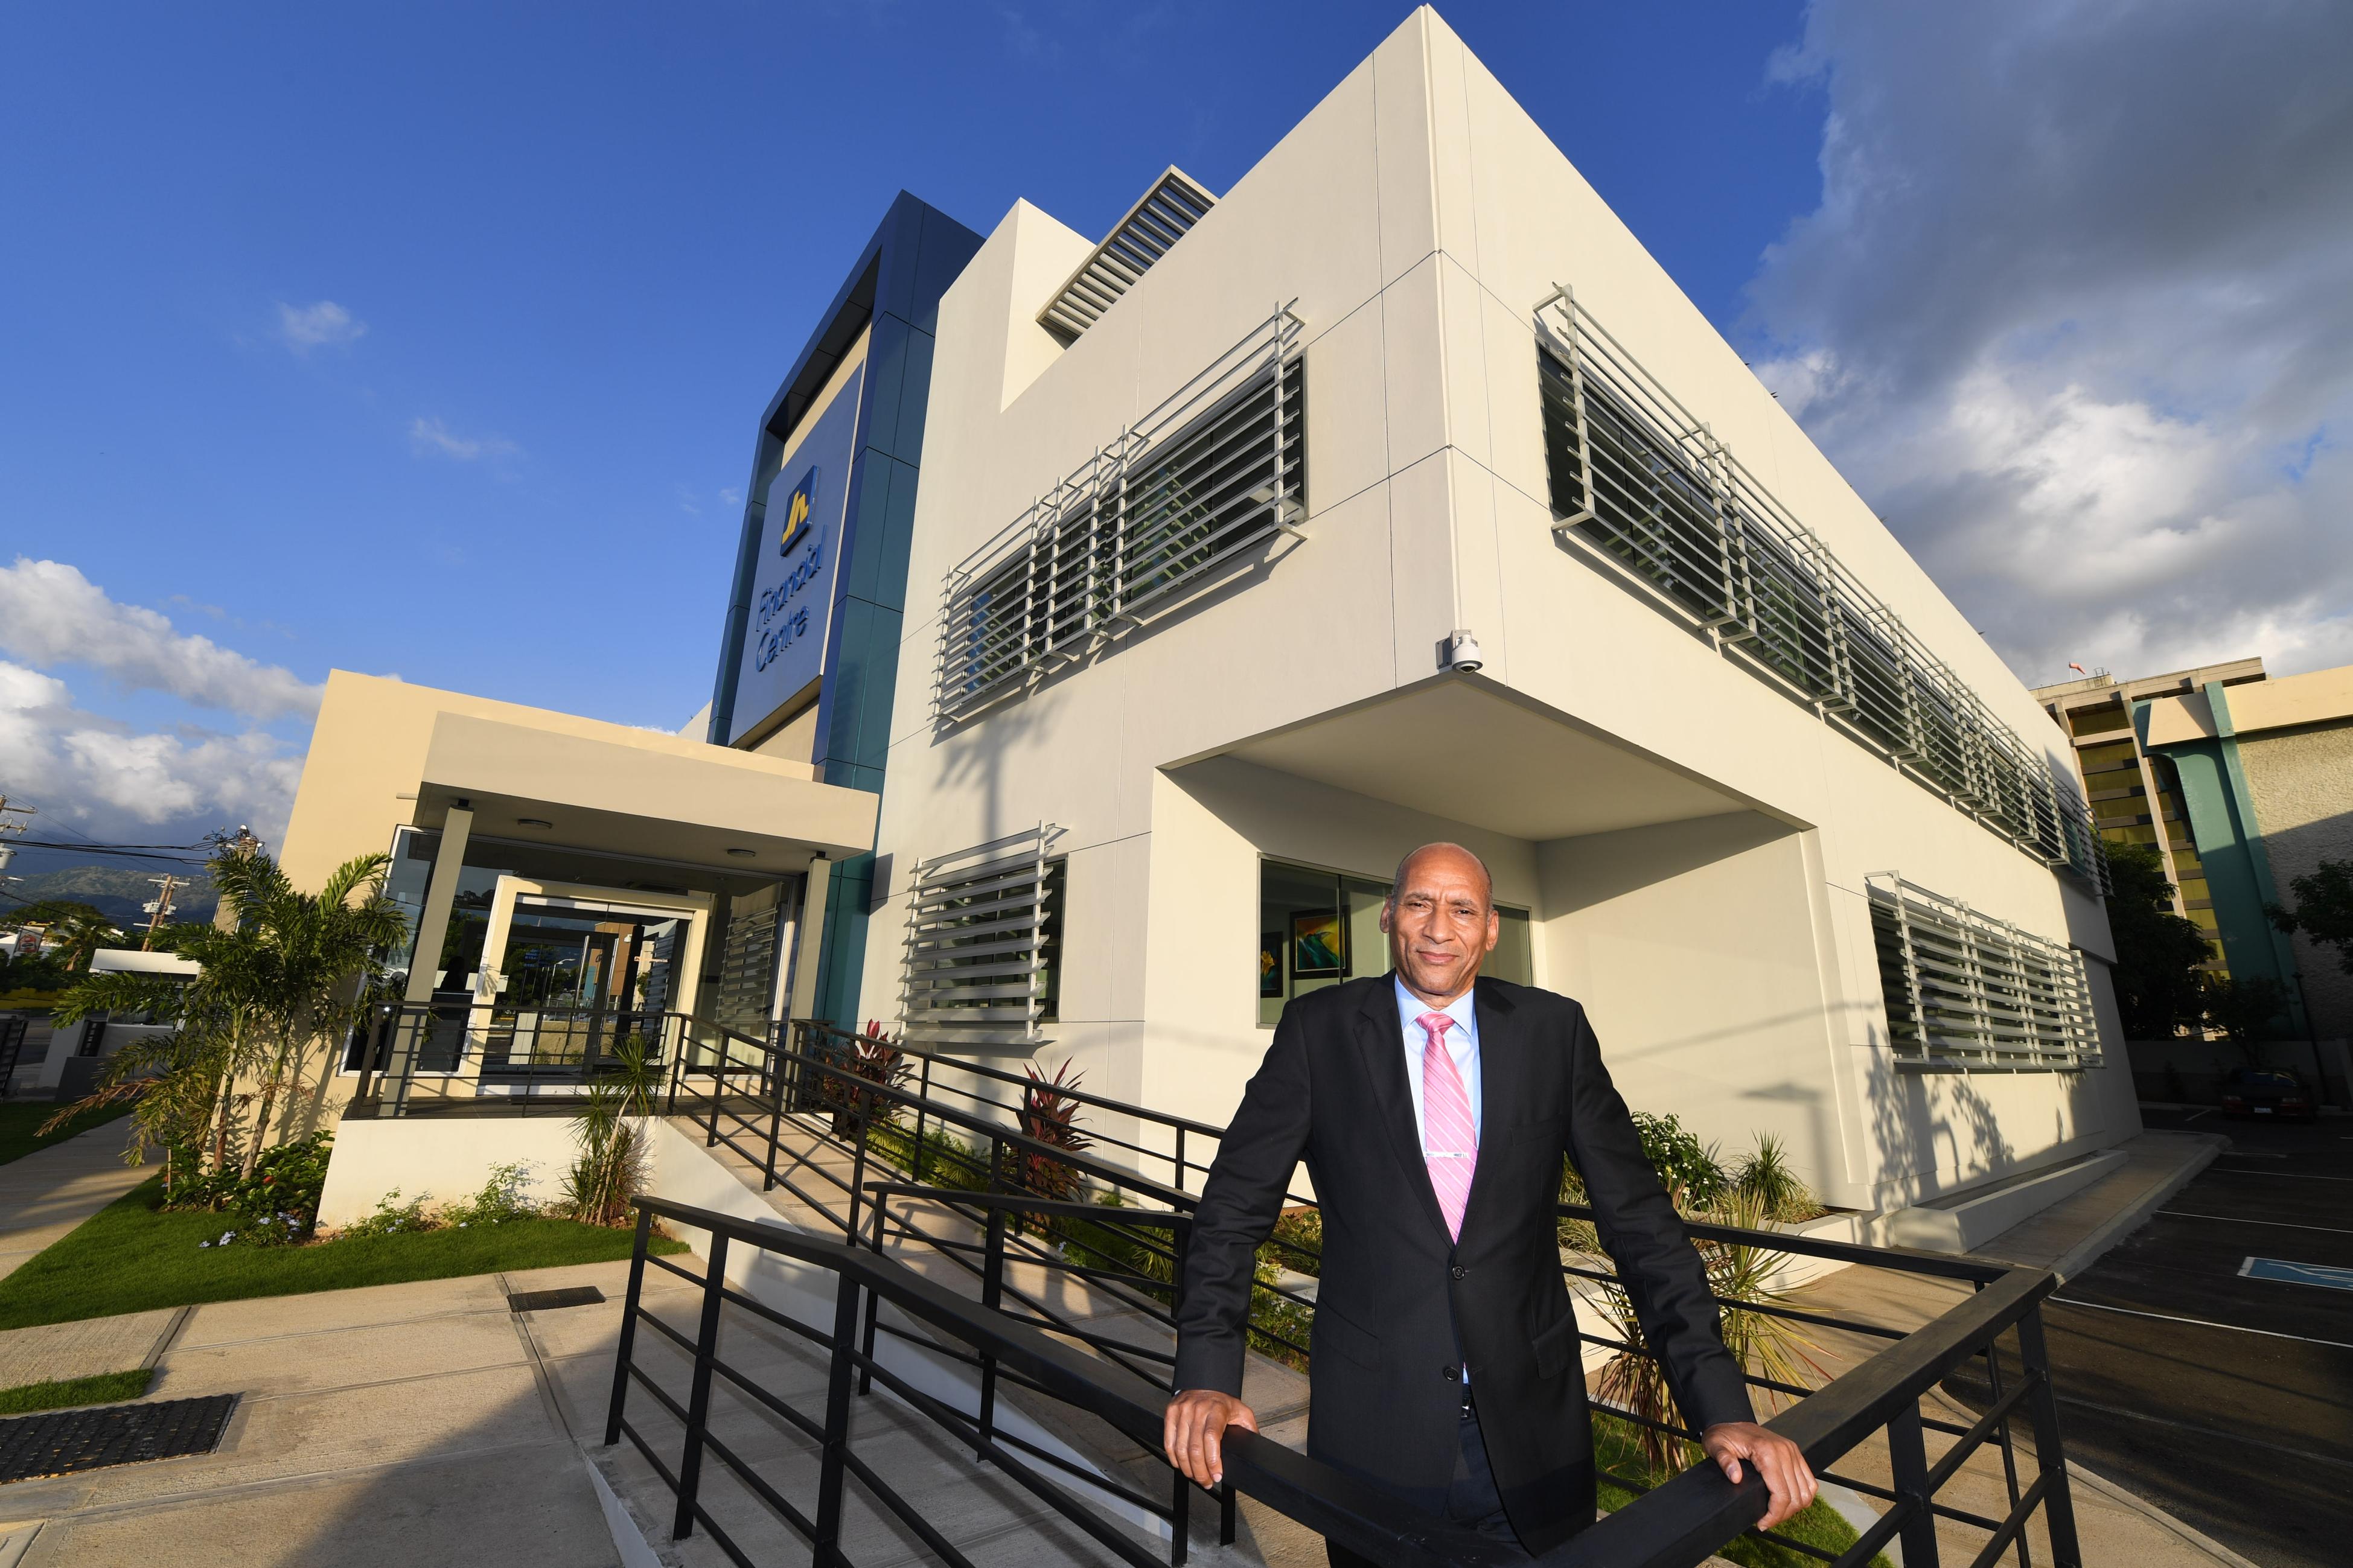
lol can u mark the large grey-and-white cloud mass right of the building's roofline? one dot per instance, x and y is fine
(2077, 314)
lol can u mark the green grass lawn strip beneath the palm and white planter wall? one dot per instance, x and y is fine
(135, 1256)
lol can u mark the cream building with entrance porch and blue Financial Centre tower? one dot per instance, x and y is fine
(1389, 496)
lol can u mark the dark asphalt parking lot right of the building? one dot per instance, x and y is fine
(2218, 1393)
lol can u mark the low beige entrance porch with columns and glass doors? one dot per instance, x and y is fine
(568, 884)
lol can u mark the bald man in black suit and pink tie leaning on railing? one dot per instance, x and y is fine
(1434, 1110)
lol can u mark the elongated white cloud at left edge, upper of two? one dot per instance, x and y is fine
(55, 616)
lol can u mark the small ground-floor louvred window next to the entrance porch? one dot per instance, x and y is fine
(985, 945)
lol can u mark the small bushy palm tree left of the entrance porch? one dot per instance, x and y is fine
(286, 976)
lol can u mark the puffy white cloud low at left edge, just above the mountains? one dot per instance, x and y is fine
(107, 778)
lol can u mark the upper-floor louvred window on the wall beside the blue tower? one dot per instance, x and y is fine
(1180, 498)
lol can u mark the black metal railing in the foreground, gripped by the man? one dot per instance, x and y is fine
(1669, 1527)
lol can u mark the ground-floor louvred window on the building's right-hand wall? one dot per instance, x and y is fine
(1978, 995)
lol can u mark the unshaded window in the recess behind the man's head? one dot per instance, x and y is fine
(1319, 929)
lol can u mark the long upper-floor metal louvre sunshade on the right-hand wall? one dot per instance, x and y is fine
(1641, 479)
